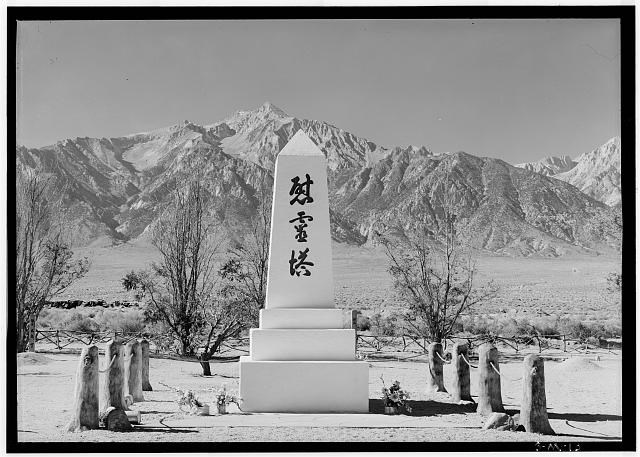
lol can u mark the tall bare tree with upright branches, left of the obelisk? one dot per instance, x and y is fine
(181, 286)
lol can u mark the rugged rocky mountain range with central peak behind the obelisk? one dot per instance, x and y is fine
(119, 186)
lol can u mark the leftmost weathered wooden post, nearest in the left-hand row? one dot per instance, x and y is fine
(85, 405)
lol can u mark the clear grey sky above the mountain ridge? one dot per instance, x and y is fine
(513, 89)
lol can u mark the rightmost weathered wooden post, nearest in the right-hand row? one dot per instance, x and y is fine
(533, 412)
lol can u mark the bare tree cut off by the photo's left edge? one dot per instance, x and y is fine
(44, 260)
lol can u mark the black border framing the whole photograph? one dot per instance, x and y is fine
(626, 15)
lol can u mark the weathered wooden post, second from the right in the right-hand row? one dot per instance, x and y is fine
(489, 393)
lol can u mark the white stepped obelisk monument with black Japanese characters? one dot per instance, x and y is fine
(302, 359)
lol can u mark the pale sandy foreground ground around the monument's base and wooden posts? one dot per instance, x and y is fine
(583, 399)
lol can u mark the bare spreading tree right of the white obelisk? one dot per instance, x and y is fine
(434, 272)
